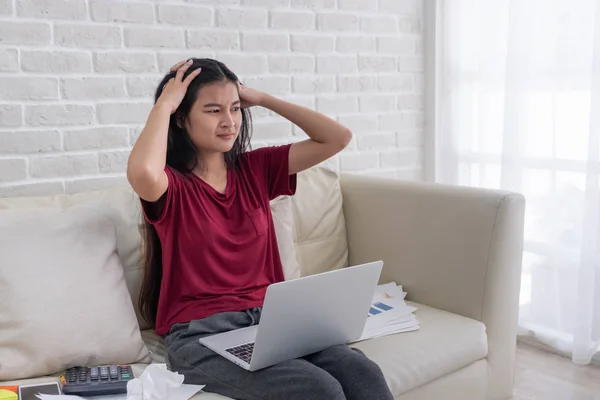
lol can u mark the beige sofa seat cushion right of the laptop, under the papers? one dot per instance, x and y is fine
(445, 343)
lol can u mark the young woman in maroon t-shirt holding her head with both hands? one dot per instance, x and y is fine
(210, 244)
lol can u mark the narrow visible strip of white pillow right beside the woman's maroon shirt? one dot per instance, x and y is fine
(283, 220)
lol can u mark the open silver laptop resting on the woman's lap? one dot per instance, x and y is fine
(303, 316)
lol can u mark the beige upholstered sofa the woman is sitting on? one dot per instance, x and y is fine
(456, 251)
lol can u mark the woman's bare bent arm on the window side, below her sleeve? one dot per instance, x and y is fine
(327, 137)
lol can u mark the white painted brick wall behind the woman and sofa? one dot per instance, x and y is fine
(77, 79)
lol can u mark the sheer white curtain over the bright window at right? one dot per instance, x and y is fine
(518, 108)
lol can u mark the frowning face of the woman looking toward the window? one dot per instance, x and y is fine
(215, 118)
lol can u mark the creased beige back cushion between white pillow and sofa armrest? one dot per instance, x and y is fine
(320, 233)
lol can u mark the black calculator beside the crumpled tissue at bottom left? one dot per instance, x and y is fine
(96, 381)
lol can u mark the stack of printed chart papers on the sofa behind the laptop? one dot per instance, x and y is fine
(389, 313)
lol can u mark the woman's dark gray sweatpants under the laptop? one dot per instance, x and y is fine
(334, 374)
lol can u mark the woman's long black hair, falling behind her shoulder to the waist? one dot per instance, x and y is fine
(182, 155)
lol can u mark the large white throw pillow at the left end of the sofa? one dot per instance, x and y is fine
(64, 297)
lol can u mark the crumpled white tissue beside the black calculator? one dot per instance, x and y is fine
(158, 383)
